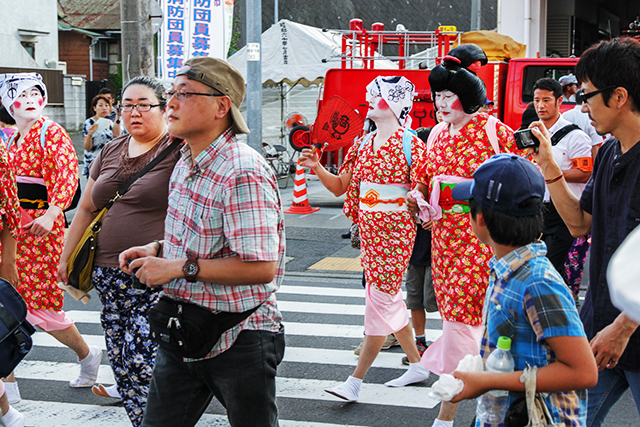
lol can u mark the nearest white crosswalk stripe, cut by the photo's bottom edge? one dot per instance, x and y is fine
(62, 414)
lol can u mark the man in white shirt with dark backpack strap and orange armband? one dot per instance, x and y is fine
(572, 152)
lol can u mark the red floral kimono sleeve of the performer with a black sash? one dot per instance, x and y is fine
(60, 166)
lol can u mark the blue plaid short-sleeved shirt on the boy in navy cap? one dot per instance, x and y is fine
(528, 301)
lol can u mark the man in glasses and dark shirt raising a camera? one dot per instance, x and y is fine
(609, 208)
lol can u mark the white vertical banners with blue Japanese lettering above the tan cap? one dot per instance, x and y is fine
(194, 28)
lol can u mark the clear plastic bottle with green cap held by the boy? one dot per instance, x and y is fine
(492, 406)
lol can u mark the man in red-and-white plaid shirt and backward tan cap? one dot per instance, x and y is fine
(223, 250)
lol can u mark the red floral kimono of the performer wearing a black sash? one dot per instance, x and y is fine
(38, 258)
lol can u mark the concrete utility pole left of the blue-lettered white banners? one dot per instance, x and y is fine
(137, 39)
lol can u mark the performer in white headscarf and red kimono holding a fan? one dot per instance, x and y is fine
(377, 173)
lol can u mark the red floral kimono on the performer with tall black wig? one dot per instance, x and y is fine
(459, 261)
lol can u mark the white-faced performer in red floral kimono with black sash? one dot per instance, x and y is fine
(46, 168)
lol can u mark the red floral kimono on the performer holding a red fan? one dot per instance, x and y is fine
(386, 237)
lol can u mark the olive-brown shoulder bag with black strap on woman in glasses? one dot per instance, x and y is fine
(80, 262)
